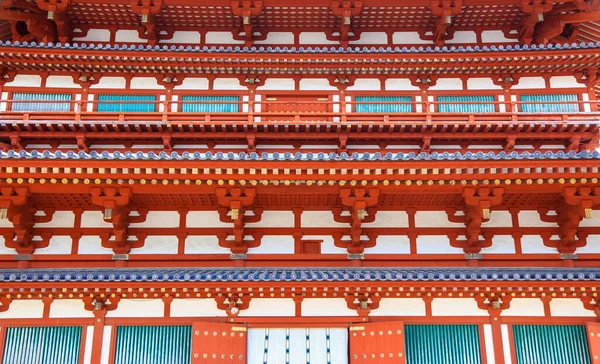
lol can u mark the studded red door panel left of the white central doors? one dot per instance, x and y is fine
(218, 343)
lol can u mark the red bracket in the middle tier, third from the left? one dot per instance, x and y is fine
(235, 203)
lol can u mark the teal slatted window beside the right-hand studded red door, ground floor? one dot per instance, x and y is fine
(448, 344)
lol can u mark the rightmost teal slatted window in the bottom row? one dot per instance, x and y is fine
(551, 344)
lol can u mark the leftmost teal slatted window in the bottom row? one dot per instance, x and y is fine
(57, 344)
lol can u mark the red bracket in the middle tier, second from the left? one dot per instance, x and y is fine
(116, 204)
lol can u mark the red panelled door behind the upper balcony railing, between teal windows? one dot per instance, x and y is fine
(304, 107)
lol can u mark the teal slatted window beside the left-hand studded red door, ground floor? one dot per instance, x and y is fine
(153, 344)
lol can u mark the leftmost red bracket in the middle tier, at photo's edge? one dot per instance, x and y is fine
(16, 206)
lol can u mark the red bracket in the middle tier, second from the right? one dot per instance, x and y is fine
(476, 211)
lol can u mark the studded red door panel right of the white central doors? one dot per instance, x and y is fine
(377, 343)
